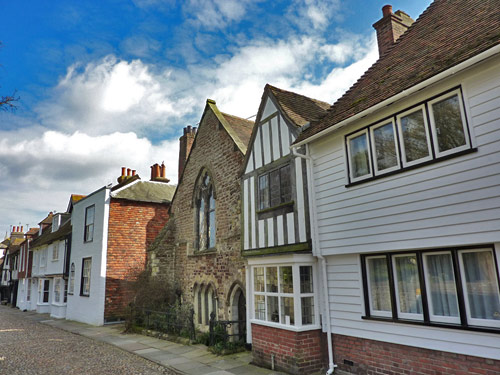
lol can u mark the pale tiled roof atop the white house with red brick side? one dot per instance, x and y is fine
(147, 191)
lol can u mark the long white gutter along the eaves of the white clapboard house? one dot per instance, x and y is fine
(403, 94)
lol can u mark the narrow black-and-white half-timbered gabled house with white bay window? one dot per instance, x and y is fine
(282, 274)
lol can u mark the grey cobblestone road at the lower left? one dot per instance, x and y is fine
(28, 347)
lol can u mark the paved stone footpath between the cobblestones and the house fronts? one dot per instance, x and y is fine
(179, 358)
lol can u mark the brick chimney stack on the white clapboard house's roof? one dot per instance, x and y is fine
(390, 27)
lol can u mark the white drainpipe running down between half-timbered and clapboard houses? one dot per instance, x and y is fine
(317, 253)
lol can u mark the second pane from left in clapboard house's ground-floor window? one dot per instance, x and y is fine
(408, 284)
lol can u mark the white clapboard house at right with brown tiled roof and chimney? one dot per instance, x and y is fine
(406, 199)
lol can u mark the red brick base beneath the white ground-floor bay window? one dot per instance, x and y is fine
(295, 352)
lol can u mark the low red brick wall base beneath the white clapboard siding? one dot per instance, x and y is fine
(375, 357)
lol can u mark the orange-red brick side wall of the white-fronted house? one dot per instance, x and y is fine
(132, 228)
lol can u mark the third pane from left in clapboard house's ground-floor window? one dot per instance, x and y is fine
(441, 285)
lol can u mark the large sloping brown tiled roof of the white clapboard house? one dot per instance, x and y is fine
(447, 33)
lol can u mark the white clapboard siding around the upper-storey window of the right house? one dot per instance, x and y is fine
(446, 203)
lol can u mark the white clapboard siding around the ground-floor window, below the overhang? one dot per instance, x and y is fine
(347, 308)
